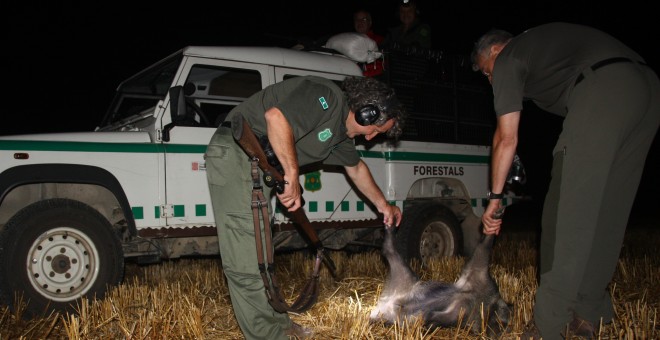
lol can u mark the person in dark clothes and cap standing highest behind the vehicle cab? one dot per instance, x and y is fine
(411, 32)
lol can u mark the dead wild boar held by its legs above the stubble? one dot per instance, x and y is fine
(438, 303)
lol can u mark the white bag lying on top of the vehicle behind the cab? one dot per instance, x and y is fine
(356, 46)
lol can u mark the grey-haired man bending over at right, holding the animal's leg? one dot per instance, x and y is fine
(609, 98)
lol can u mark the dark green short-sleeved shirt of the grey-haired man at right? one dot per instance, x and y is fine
(542, 64)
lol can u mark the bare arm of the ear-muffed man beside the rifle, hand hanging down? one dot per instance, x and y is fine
(280, 136)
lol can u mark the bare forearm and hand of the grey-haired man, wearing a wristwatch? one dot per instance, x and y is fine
(505, 142)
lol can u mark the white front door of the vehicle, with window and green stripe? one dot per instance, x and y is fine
(211, 89)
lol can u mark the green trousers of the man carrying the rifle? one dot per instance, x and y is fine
(230, 183)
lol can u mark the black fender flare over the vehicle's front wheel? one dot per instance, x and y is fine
(66, 173)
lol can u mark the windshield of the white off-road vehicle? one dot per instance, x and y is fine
(143, 90)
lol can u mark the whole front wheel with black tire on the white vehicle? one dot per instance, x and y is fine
(56, 252)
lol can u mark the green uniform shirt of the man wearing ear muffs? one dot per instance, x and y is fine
(315, 108)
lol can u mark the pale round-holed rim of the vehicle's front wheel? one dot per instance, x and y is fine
(62, 264)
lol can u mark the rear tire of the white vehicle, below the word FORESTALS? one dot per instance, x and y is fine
(428, 231)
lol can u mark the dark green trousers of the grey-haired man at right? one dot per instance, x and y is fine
(613, 115)
